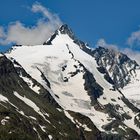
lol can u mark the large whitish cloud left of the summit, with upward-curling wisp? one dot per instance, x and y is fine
(18, 33)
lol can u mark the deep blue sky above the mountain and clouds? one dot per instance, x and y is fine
(114, 21)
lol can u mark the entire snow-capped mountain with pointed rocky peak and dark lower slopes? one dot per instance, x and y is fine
(65, 90)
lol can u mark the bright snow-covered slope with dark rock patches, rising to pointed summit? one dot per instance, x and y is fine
(73, 79)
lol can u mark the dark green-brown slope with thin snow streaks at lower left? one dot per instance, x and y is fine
(28, 111)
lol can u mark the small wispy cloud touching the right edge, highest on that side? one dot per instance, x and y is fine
(134, 39)
